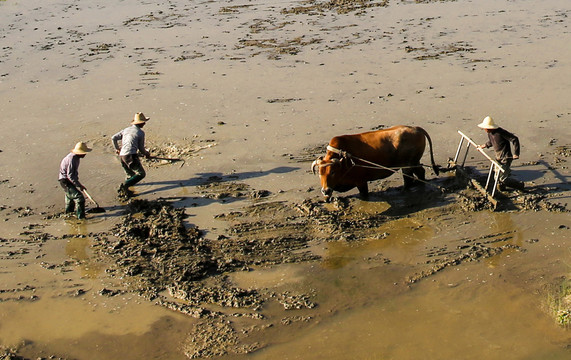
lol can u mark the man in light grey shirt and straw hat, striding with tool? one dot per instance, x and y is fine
(132, 142)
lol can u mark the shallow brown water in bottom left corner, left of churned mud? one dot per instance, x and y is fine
(53, 304)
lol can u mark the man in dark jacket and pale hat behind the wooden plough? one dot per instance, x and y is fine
(500, 140)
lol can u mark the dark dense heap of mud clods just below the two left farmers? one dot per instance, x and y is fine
(154, 248)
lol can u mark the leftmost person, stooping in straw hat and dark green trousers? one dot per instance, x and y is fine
(69, 180)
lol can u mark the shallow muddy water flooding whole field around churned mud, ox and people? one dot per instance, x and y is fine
(77, 71)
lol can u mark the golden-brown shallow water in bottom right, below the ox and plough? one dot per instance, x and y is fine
(472, 311)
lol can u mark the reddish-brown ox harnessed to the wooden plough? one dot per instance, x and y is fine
(352, 160)
